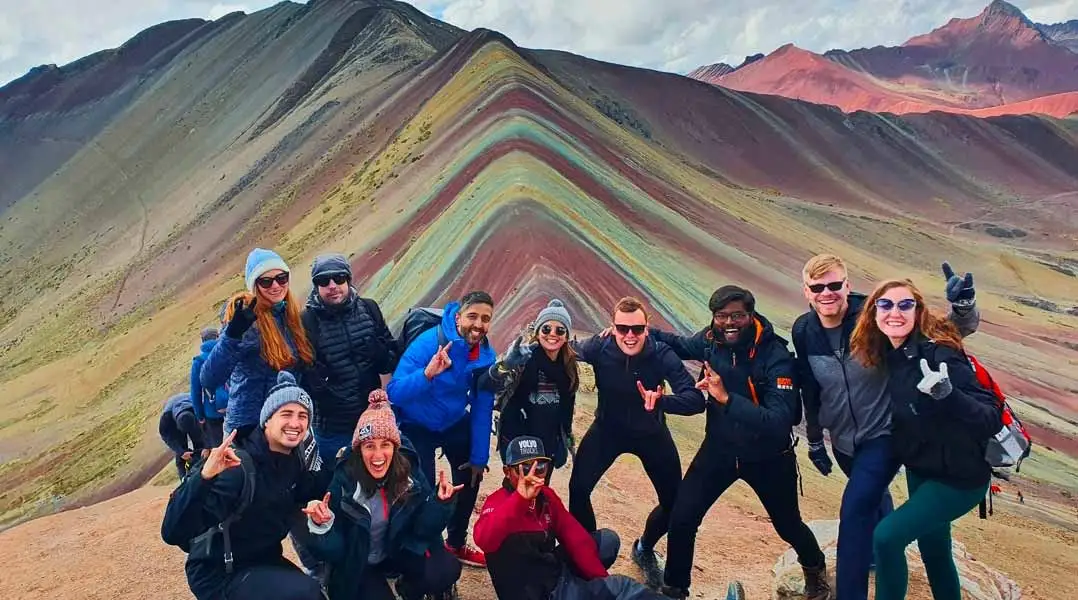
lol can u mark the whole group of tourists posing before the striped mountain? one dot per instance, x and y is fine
(317, 424)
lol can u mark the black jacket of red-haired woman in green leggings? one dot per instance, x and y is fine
(942, 440)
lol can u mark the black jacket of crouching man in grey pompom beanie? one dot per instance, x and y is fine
(283, 487)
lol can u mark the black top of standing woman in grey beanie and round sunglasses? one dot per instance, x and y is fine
(531, 411)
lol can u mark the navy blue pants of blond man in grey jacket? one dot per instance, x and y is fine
(865, 504)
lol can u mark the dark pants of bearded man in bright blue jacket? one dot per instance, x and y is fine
(457, 444)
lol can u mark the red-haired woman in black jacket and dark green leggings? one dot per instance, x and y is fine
(942, 421)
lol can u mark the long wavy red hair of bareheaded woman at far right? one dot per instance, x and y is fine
(869, 345)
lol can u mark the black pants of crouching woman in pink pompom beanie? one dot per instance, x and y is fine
(419, 576)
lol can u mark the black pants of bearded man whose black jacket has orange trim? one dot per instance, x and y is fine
(776, 483)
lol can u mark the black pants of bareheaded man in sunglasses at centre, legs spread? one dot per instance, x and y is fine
(600, 449)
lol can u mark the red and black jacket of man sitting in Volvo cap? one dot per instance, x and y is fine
(519, 538)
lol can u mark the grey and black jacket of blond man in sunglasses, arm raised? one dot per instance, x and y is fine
(839, 394)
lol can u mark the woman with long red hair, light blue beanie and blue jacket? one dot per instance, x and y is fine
(264, 337)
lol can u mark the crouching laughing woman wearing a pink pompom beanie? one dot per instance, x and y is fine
(381, 520)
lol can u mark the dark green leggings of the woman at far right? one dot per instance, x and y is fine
(925, 518)
